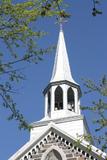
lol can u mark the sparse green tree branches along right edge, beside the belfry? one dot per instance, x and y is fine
(99, 107)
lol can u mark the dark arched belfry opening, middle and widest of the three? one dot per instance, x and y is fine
(58, 98)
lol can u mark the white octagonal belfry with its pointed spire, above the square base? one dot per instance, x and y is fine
(62, 95)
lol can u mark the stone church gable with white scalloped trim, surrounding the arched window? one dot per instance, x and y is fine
(55, 137)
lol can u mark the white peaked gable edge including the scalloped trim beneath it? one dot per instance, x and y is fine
(36, 144)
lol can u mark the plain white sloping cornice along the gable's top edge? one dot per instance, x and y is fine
(53, 127)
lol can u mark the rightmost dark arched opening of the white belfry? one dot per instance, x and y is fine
(70, 99)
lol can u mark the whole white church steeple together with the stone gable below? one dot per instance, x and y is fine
(59, 135)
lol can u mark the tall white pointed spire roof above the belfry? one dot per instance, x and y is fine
(61, 69)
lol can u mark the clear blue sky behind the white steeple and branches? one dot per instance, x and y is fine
(86, 41)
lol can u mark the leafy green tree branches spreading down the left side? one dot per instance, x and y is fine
(16, 31)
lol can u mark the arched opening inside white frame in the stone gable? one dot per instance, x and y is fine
(54, 155)
